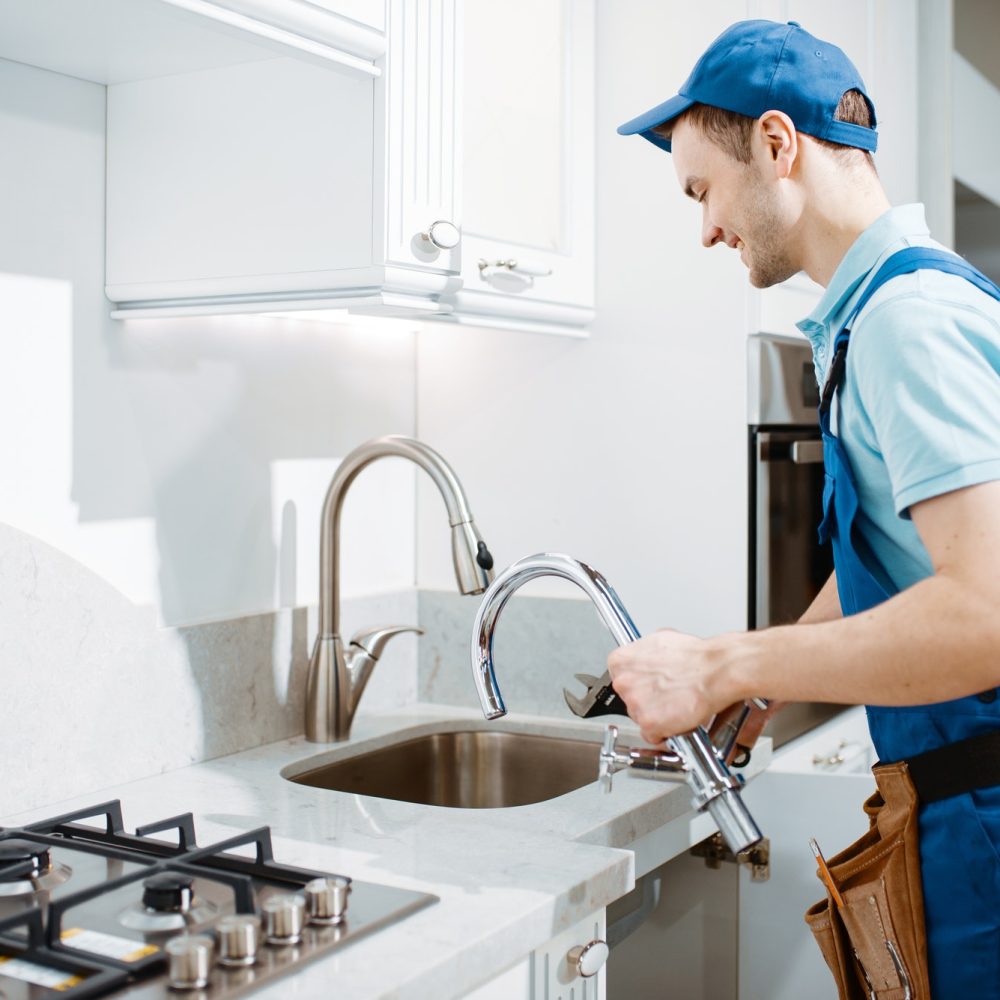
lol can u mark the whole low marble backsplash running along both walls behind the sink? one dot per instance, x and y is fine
(93, 692)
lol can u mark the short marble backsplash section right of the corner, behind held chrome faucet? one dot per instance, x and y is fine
(539, 644)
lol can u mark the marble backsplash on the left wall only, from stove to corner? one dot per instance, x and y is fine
(93, 692)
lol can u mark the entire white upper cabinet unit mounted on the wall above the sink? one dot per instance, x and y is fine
(271, 155)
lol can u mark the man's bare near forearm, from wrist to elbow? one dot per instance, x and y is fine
(936, 641)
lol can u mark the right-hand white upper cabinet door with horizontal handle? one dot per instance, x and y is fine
(527, 78)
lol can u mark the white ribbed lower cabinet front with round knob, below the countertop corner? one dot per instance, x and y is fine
(568, 967)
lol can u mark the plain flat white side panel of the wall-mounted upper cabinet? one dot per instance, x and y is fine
(239, 177)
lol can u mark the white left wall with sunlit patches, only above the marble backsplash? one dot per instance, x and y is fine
(184, 461)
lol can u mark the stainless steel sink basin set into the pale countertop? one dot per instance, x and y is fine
(469, 769)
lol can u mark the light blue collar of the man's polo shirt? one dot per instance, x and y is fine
(900, 224)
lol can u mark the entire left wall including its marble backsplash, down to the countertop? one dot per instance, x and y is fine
(165, 473)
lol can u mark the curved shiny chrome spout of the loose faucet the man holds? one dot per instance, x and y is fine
(607, 602)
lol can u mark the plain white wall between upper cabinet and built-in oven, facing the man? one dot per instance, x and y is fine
(627, 449)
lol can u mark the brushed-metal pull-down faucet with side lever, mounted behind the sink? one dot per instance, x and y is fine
(337, 676)
